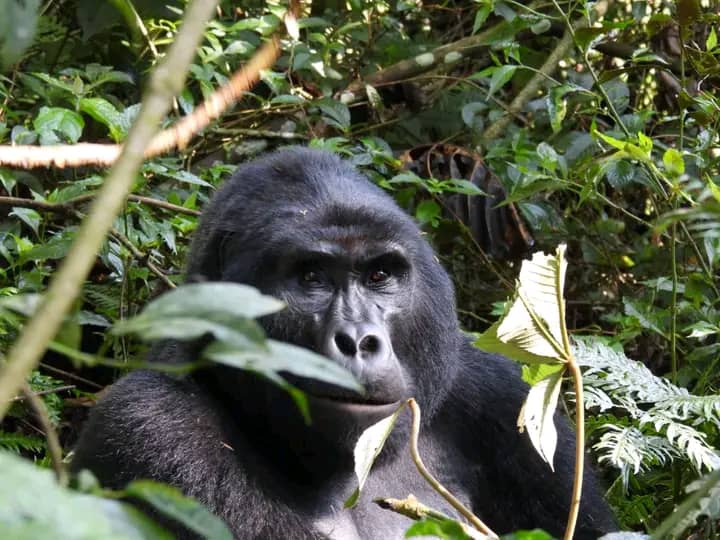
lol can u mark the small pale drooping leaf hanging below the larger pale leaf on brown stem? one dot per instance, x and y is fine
(537, 415)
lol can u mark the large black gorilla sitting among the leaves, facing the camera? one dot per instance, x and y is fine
(364, 288)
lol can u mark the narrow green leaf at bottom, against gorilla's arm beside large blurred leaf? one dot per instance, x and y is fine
(170, 502)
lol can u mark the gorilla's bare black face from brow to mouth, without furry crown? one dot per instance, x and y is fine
(345, 290)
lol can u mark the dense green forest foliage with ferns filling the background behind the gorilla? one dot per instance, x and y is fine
(600, 120)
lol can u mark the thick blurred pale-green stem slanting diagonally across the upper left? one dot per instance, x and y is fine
(167, 80)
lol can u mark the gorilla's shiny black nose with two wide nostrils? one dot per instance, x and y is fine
(364, 342)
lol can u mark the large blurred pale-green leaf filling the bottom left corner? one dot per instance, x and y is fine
(33, 506)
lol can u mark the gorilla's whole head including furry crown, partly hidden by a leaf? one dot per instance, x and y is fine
(361, 285)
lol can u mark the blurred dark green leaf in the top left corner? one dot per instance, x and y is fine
(17, 28)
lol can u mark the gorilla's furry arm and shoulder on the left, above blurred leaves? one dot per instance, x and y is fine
(153, 426)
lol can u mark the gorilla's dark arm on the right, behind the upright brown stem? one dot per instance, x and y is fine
(513, 487)
